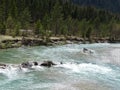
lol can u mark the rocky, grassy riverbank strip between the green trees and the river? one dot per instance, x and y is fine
(10, 42)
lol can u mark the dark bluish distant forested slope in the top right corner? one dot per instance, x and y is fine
(110, 5)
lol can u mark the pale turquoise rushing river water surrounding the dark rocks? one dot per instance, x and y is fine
(79, 71)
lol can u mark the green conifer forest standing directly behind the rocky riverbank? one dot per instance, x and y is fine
(56, 17)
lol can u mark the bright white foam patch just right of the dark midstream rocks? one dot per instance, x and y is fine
(86, 67)
